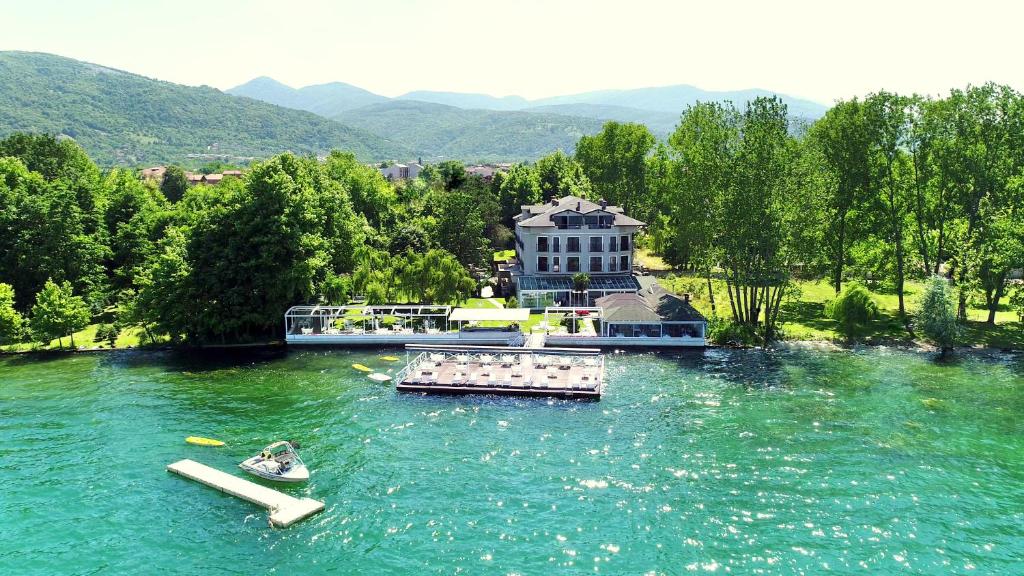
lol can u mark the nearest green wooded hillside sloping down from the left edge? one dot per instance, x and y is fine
(122, 118)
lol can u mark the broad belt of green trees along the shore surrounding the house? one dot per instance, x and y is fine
(882, 192)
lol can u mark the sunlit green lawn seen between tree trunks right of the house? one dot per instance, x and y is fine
(804, 318)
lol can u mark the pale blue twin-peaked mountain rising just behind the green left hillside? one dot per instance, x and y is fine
(325, 100)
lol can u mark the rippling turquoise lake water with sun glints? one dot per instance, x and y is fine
(731, 462)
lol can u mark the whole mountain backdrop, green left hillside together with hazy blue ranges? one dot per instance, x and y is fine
(127, 119)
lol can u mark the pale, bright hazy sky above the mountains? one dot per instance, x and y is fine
(819, 50)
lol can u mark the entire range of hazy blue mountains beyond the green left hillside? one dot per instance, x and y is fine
(467, 127)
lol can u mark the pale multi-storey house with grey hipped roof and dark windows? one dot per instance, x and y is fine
(567, 236)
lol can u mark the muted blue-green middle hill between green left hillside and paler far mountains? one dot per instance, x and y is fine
(439, 133)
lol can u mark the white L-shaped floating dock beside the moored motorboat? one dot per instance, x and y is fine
(285, 510)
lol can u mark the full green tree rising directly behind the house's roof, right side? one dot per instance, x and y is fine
(615, 162)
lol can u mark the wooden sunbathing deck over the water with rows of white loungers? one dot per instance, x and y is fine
(504, 372)
